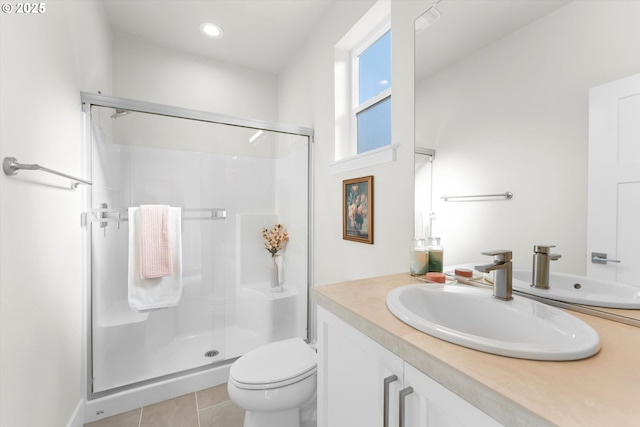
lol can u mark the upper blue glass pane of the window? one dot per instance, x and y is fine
(375, 68)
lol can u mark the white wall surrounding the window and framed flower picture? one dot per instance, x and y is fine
(307, 98)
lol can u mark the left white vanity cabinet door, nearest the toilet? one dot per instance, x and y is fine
(351, 373)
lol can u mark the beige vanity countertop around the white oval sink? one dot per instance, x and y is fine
(598, 391)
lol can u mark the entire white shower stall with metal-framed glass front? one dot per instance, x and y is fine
(231, 177)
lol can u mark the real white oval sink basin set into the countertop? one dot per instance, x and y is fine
(471, 317)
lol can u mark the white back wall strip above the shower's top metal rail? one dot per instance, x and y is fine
(144, 71)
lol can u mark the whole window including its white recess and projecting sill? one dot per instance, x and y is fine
(362, 93)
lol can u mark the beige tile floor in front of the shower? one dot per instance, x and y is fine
(205, 408)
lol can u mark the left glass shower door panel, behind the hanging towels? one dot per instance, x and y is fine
(133, 167)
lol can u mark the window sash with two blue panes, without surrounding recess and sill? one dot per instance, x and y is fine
(372, 92)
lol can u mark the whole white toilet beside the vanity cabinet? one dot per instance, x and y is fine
(276, 384)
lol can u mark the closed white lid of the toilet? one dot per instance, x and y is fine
(274, 363)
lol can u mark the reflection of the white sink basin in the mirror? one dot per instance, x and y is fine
(580, 290)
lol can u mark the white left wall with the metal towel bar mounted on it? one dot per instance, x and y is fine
(46, 61)
